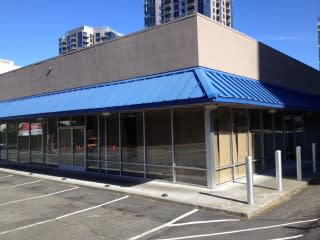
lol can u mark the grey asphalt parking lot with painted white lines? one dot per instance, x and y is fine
(32, 208)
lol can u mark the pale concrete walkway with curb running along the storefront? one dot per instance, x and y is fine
(230, 197)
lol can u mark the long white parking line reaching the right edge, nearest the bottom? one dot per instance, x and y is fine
(241, 230)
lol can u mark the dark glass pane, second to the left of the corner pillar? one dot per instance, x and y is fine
(158, 144)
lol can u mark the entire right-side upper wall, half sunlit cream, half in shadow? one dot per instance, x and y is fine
(227, 50)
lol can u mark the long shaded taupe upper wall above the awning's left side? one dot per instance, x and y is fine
(164, 48)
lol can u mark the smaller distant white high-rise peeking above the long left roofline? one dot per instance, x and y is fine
(85, 36)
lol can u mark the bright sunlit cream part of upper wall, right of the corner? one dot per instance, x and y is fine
(222, 48)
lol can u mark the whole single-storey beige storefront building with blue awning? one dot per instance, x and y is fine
(161, 108)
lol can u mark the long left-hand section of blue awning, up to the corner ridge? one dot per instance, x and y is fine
(180, 87)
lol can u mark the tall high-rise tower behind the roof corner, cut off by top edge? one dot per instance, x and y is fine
(161, 11)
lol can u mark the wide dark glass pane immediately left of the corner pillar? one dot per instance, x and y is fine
(189, 140)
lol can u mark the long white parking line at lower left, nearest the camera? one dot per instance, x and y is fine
(63, 216)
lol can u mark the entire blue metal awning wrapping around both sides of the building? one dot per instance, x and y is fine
(195, 85)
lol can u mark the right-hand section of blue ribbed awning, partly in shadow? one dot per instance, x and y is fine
(229, 88)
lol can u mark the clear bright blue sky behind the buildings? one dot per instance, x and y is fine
(30, 29)
